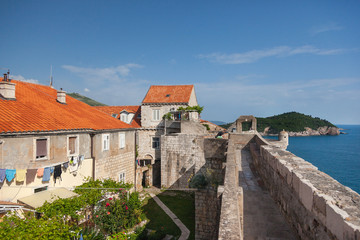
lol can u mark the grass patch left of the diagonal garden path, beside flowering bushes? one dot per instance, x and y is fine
(158, 219)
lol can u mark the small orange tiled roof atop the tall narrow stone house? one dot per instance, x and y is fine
(168, 94)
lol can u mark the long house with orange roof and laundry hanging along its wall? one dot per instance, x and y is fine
(43, 129)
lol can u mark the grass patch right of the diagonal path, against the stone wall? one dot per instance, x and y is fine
(182, 204)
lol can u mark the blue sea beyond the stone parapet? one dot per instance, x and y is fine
(338, 156)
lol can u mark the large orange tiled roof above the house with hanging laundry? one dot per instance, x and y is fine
(36, 109)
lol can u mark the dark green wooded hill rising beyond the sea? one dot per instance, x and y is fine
(291, 122)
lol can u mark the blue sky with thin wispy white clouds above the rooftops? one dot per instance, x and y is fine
(257, 57)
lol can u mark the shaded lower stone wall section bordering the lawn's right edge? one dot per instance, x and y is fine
(207, 213)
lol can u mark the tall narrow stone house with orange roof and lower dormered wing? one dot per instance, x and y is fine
(150, 124)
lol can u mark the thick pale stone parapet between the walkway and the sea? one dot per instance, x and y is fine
(316, 205)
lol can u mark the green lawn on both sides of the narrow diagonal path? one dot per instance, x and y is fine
(182, 204)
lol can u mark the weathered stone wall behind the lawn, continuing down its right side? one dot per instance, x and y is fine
(182, 157)
